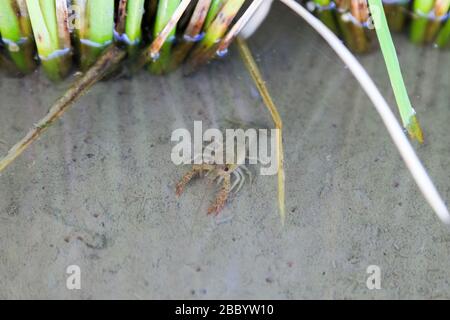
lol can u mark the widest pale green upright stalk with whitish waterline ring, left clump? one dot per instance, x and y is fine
(94, 30)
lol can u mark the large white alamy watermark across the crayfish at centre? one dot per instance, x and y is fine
(237, 147)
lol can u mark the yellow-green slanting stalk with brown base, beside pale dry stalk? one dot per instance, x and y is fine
(207, 47)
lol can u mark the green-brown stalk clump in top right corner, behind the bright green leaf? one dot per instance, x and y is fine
(426, 21)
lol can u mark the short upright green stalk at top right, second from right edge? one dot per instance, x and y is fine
(421, 16)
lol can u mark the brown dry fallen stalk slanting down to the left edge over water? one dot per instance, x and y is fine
(110, 59)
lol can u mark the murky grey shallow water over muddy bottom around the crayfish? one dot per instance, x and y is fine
(97, 190)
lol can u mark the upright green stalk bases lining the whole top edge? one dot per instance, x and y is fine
(57, 32)
